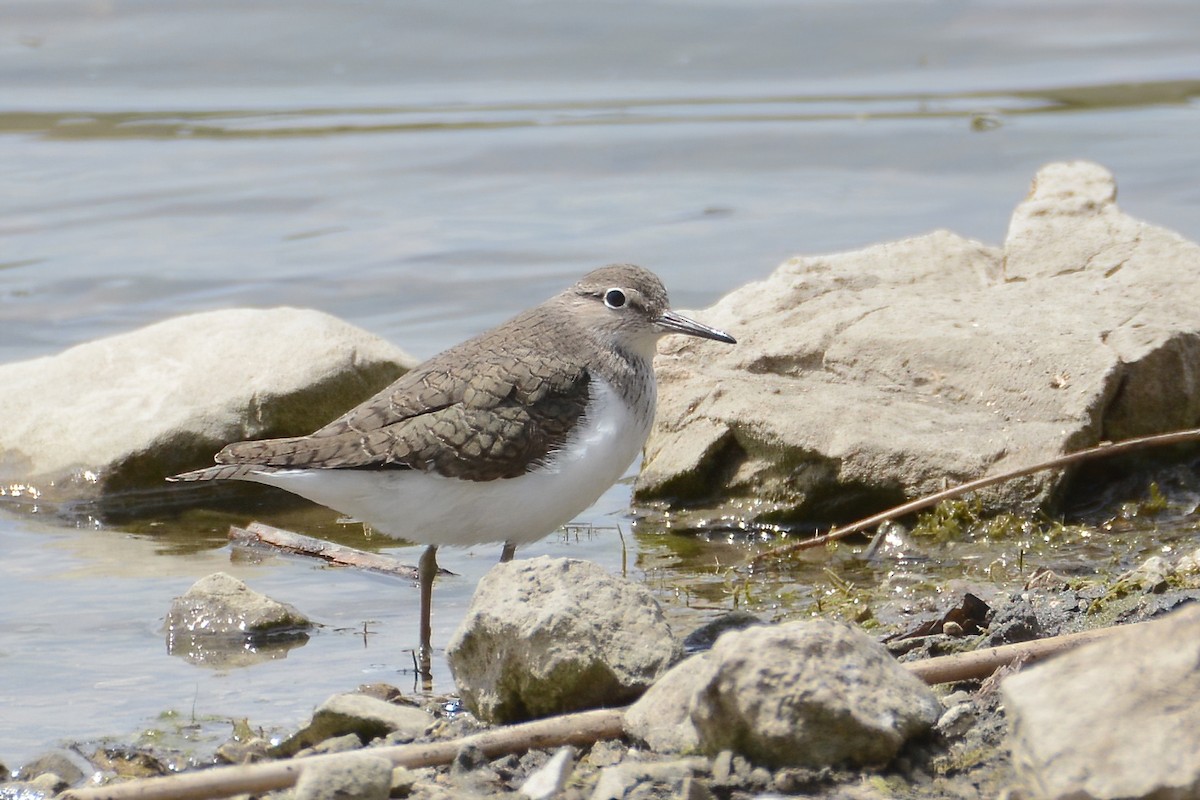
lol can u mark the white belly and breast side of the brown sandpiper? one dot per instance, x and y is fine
(435, 510)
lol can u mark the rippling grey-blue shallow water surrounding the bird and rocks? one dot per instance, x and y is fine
(425, 172)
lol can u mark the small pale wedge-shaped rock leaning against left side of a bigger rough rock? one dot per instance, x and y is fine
(662, 718)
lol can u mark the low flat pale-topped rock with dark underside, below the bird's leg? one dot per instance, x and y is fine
(368, 718)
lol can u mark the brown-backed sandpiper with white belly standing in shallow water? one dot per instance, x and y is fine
(503, 438)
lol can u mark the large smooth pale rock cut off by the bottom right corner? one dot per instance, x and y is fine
(1115, 719)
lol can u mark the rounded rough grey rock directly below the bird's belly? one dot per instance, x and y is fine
(549, 636)
